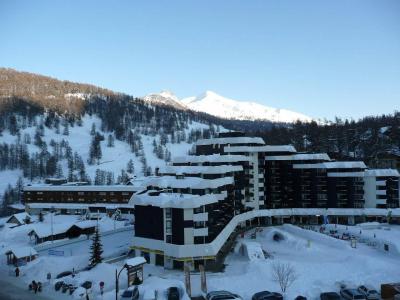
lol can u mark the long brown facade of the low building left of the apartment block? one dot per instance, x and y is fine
(77, 196)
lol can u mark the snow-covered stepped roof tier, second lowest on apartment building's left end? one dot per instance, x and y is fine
(189, 182)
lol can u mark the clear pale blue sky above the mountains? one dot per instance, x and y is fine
(321, 58)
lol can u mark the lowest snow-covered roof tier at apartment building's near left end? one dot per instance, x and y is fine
(176, 200)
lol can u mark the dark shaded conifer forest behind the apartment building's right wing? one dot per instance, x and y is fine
(344, 139)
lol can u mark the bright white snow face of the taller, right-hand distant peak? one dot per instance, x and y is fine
(219, 106)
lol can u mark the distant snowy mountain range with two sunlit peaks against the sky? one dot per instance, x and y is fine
(211, 103)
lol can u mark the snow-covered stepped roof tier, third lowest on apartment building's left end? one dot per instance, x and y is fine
(221, 169)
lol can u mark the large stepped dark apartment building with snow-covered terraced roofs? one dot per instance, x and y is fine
(197, 202)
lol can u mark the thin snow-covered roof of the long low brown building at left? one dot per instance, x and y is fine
(82, 188)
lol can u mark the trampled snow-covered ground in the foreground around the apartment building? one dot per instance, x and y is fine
(320, 261)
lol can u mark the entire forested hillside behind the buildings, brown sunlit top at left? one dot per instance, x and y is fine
(52, 128)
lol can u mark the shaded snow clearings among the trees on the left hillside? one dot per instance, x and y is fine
(114, 159)
